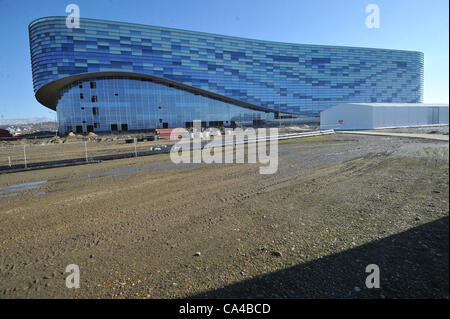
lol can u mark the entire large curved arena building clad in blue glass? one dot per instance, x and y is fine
(113, 76)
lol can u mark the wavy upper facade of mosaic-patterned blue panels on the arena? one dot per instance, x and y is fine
(291, 78)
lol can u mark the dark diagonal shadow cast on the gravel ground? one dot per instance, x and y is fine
(413, 264)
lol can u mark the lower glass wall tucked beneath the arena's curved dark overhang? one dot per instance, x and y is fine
(122, 104)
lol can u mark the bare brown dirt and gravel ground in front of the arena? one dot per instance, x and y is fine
(134, 226)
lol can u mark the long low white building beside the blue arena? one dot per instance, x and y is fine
(366, 116)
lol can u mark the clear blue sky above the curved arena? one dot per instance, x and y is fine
(418, 25)
